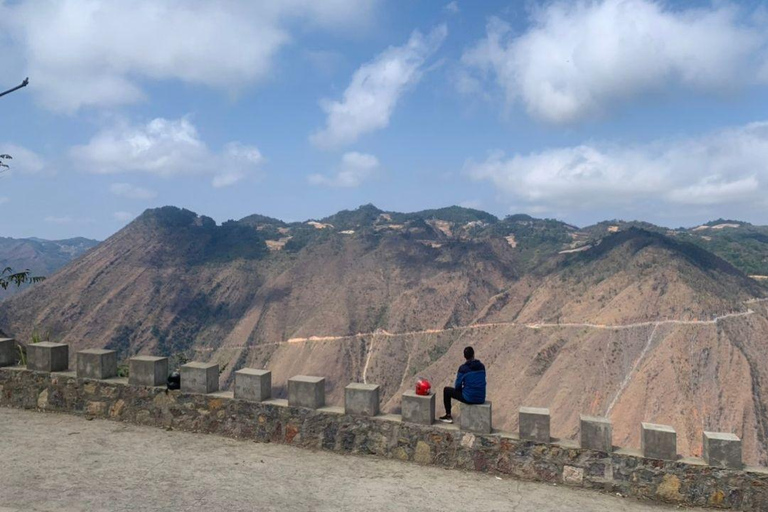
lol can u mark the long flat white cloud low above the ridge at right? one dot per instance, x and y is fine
(725, 168)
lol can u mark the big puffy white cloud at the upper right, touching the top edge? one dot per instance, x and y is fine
(580, 59)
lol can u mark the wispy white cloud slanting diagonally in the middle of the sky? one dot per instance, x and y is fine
(375, 89)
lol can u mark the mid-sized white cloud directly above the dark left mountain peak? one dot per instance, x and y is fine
(164, 147)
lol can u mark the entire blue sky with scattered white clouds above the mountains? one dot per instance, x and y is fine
(583, 111)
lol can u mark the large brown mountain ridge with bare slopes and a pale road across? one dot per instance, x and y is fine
(629, 320)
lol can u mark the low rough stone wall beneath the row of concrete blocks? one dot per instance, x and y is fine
(689, 482)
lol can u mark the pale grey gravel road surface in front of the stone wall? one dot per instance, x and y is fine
(53, 462)
